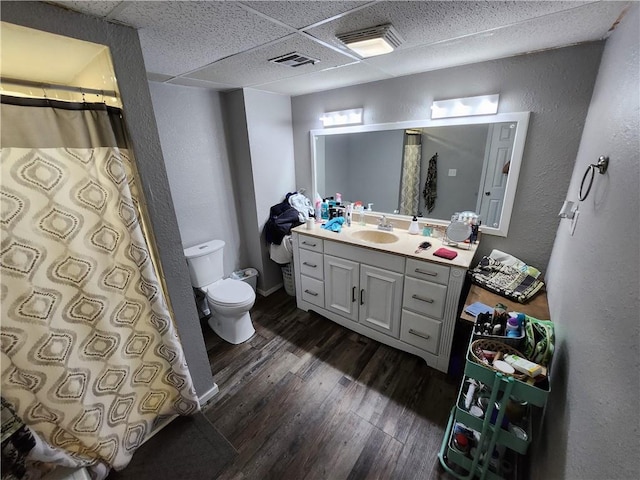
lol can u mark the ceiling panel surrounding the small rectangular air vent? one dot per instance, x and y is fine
(253, 67)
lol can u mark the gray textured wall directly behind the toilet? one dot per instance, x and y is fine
(195, 153)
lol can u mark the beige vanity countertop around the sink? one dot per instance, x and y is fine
(406, 244)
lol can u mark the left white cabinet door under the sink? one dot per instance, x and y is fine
(341, 286)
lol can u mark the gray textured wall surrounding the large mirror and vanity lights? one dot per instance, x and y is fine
(555, 86)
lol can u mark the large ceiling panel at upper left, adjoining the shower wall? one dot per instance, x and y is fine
(179, 37)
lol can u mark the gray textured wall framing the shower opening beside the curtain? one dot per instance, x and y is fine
(129, 67)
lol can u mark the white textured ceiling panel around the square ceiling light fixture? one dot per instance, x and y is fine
(420, 23)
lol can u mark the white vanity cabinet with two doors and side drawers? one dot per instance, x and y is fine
(404, 302)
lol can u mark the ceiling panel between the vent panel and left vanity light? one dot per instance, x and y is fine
(344, 76)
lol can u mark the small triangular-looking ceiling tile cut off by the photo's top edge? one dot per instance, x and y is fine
(302, 14)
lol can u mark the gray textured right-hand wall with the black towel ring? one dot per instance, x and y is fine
(591, 427)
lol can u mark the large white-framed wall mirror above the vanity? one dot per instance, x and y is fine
(429, 168)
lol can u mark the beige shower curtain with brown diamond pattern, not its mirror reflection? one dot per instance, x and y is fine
(90, 357)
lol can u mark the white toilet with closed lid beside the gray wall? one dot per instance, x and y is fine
(229, 300)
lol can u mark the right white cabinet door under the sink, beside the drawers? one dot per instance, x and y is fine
(380, 299)
